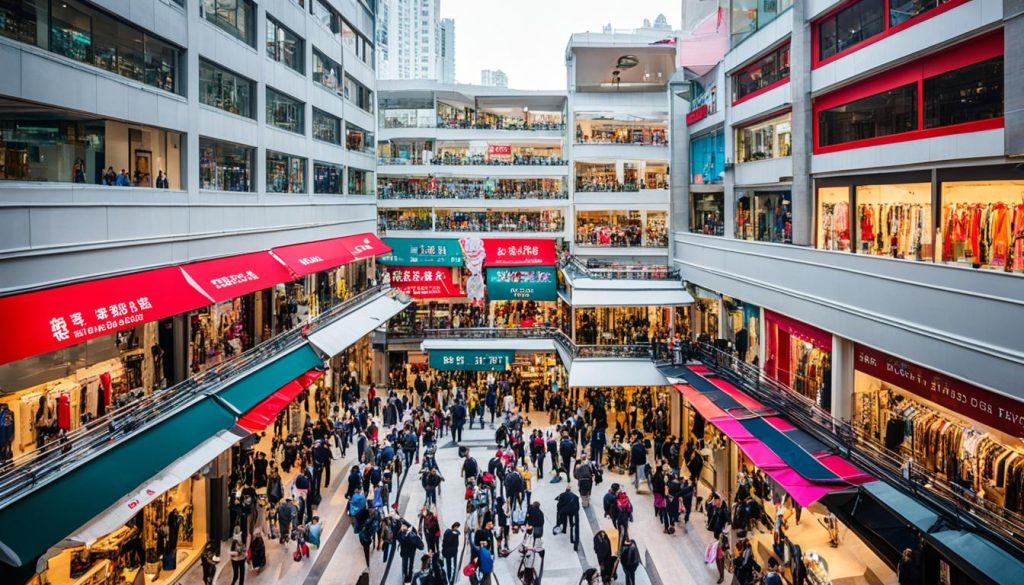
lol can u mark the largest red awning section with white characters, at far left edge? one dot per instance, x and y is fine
(49, 320)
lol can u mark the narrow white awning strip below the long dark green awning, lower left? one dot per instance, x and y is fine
(115, 517)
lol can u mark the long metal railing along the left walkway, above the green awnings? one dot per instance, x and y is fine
(31, 470)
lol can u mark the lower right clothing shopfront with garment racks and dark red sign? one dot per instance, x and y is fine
(964, 435)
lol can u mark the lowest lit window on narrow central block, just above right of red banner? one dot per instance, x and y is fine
(622, 229)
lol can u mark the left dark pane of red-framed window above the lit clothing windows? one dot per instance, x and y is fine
(884, 114)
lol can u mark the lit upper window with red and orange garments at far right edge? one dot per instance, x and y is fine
(984, 225)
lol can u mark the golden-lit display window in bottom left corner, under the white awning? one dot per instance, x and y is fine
(158, 546)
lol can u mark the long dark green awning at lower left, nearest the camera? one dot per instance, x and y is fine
(33, 524)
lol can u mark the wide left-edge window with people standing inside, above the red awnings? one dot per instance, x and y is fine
(40, 144)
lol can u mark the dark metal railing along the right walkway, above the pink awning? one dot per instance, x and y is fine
(967, 510)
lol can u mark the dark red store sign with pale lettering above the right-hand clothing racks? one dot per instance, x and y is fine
(971, 402)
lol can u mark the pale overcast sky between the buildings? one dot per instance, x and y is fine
(527, 38)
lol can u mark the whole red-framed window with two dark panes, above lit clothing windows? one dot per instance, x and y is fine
(954, 92)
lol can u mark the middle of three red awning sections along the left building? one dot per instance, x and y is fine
(224, 279)
